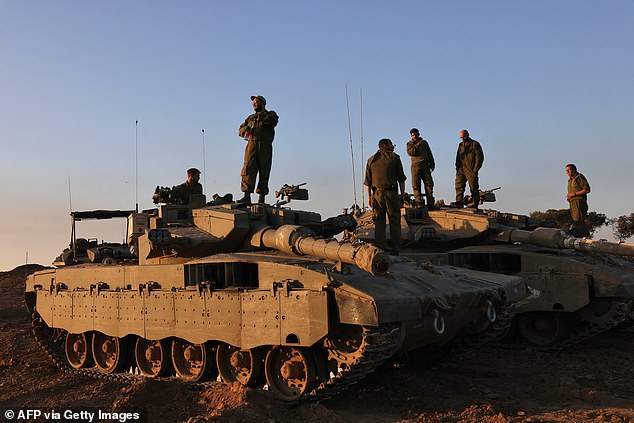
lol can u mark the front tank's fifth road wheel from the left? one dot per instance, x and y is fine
(236, 365)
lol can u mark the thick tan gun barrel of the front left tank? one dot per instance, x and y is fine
(300, 240)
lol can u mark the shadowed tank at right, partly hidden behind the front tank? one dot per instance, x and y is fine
(585, 286)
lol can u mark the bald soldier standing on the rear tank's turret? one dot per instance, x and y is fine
(469, 159)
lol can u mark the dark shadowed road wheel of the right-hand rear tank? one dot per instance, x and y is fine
(542, 328)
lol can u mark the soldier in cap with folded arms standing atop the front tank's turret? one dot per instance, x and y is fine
(259, 131)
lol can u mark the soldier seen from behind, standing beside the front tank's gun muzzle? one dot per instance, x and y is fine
(384, 177)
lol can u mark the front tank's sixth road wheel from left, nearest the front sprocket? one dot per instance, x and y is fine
(290, 372)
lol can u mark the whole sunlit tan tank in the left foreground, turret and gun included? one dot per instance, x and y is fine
(256, 294)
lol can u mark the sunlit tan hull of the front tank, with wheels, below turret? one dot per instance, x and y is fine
(228, 306)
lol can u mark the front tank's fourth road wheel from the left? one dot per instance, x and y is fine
(192, 362)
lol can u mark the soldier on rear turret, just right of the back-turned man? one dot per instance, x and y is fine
(422, 167)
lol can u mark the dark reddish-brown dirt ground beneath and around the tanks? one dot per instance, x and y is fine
(591, 382)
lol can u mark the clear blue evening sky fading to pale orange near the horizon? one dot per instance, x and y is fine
(539, 84)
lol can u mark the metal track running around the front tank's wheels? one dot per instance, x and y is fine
(378, 344)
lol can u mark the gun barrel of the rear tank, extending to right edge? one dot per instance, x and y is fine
(556, 238)
